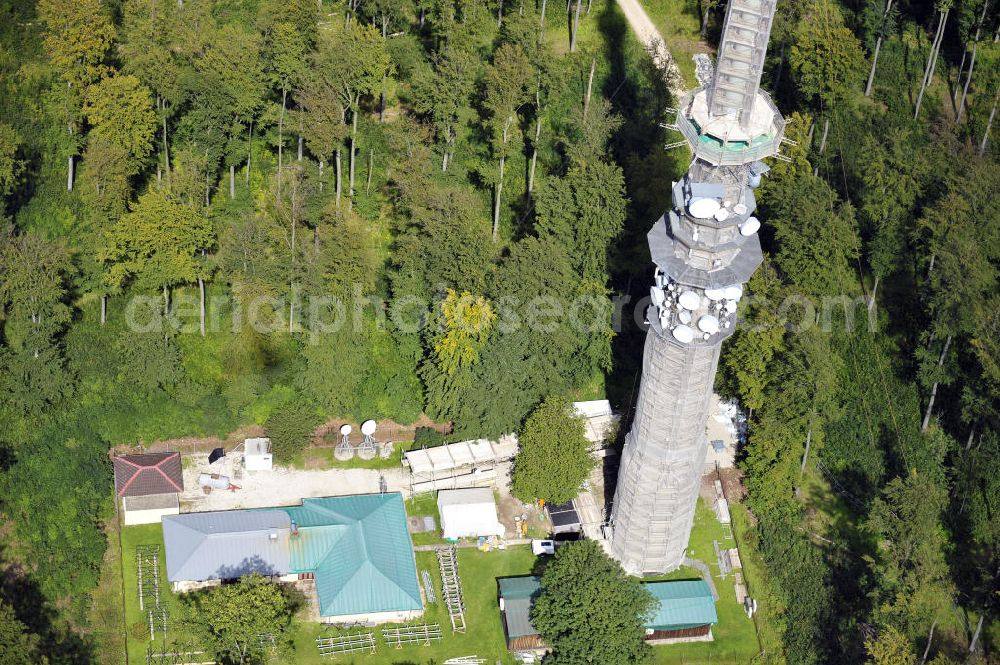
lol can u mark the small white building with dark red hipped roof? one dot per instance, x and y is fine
(148, 485)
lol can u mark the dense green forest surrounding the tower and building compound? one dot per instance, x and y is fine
(218, 213)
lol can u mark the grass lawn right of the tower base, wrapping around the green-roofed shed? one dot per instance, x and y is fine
(735, 636)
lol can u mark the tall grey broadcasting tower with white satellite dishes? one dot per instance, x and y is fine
(705, 248)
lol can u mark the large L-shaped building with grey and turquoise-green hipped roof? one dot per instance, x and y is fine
(357, 549)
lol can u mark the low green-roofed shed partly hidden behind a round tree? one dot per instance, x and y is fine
(685, 611)
